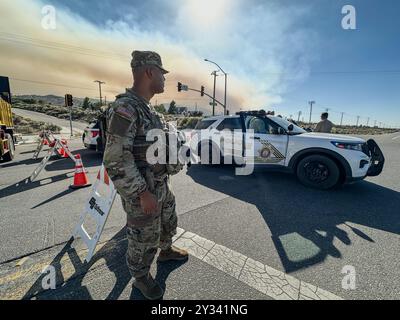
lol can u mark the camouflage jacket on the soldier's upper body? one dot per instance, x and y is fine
(129, 119)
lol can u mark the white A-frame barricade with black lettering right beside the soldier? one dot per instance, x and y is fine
(97, 207)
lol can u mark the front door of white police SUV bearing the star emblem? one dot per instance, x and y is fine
(270, 143)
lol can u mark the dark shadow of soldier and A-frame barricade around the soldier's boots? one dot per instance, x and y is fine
(75, 286)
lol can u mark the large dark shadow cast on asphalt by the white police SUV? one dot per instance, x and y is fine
(304, 222)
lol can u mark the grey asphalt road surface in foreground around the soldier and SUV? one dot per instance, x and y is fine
(263, 236)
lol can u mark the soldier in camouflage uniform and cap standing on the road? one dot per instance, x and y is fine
(144, 189)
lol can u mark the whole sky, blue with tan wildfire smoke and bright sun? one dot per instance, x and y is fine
(278, 54)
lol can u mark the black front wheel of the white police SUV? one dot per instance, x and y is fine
(319, 172)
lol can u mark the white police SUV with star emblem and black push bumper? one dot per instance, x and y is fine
(319, 160)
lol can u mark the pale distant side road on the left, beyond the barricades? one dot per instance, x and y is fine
(77, 126)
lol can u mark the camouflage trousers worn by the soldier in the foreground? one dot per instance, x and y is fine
(147, 233)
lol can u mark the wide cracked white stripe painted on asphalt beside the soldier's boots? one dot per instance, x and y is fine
(271, 282)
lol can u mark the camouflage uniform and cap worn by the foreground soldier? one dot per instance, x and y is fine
(129, 120)
